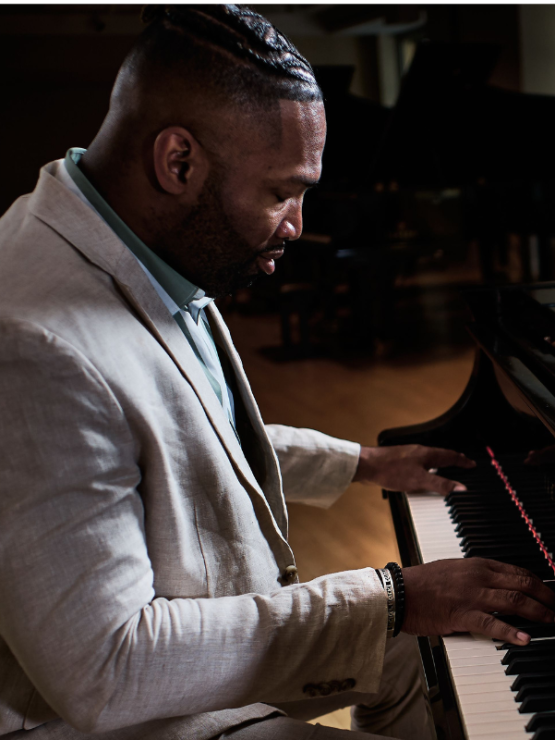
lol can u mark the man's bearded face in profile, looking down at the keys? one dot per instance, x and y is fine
(247, 213)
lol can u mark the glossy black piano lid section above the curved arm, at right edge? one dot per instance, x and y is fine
(515, 327)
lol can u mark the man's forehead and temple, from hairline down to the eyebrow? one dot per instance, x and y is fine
(296, 151)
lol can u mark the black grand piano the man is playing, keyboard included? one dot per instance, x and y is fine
(481, 689)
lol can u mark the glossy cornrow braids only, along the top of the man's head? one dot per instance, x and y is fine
(238, 30)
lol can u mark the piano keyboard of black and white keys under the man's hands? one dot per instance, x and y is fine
(504, 692)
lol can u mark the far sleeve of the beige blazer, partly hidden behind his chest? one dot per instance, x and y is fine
(316, 469)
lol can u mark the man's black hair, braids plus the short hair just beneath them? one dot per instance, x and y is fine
(230, 48)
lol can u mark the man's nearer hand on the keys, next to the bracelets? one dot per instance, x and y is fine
(449, 596)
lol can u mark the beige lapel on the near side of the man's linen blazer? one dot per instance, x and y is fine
(66, 214)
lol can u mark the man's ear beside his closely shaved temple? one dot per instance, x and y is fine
(180, 162)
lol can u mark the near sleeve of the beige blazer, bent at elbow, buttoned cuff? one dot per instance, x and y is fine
(77, 604)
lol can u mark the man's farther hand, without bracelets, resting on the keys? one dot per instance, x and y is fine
(406, 468)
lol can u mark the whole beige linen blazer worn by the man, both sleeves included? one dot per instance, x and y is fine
(142, 560)
